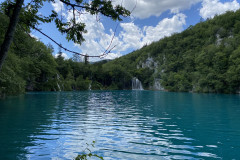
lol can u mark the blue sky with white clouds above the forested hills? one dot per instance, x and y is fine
(151, 20)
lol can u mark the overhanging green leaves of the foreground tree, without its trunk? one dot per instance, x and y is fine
(73, 28)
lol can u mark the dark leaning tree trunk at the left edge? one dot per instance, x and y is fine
(10, 32)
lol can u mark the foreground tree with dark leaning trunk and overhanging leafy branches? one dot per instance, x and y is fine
(29, 18)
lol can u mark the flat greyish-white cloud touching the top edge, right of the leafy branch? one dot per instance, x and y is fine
(147, 8)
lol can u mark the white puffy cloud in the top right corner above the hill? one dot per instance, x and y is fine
(210, 8)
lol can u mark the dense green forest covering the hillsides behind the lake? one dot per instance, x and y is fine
(203, 58)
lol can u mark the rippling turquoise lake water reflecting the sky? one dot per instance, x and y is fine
(141, 125)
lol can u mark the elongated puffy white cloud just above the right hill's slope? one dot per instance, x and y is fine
(134, 37)
